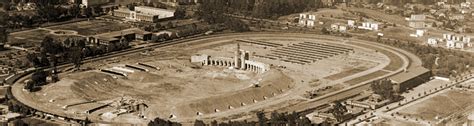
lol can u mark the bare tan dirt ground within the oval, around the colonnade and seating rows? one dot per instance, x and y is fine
(183, 89)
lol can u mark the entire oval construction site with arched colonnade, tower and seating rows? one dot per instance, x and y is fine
(212, 78)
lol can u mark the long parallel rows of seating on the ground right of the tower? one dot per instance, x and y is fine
(305, 52)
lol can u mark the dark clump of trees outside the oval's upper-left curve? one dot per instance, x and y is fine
(53, 52)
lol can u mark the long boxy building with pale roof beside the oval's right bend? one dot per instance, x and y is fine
(410, 78)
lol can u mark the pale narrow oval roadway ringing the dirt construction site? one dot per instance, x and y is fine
(20, 95)
